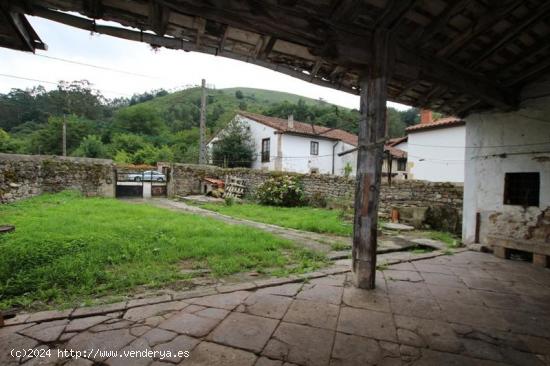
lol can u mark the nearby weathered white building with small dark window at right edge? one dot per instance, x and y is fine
(507, 181)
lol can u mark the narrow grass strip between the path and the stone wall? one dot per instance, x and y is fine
(302, 218)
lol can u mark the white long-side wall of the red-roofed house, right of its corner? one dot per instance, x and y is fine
(297, 155)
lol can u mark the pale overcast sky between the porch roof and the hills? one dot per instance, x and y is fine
(163, 68)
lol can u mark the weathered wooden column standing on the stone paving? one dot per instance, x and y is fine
(372, 135)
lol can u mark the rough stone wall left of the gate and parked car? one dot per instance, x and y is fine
(23, 176)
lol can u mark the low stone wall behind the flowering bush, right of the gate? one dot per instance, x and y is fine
(437, 204)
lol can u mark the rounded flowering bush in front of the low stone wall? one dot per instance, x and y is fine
(281, 191)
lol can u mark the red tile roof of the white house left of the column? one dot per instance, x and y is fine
(302, 128)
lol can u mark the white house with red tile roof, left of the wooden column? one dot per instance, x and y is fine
(292, 146)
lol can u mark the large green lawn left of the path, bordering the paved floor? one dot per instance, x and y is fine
(68, 249)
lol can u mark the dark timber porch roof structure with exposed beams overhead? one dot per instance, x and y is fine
(454, 56)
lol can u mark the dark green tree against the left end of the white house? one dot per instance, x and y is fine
(234, 147)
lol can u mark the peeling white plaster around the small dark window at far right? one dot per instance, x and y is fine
(484, 174)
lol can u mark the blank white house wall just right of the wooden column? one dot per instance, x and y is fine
(437, 155)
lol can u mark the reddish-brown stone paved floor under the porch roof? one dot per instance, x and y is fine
(466, 309)
